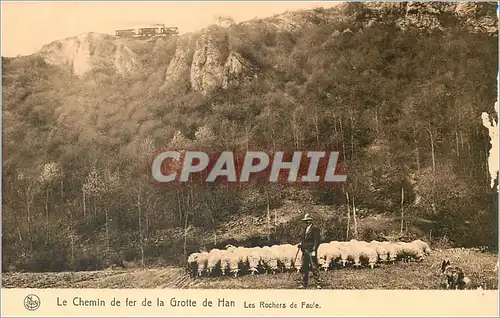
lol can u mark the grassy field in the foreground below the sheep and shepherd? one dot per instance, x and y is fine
(478, 266)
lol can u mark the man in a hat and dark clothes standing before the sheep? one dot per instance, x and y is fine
(309, 247)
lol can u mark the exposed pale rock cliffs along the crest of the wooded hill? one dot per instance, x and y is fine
(205, 61)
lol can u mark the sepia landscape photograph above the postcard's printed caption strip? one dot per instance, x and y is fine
(250, 145)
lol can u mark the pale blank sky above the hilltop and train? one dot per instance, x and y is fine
(27, 26)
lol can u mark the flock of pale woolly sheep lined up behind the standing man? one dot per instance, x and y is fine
(280, 258)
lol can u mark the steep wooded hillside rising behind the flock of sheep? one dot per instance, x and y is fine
(398, 88)
